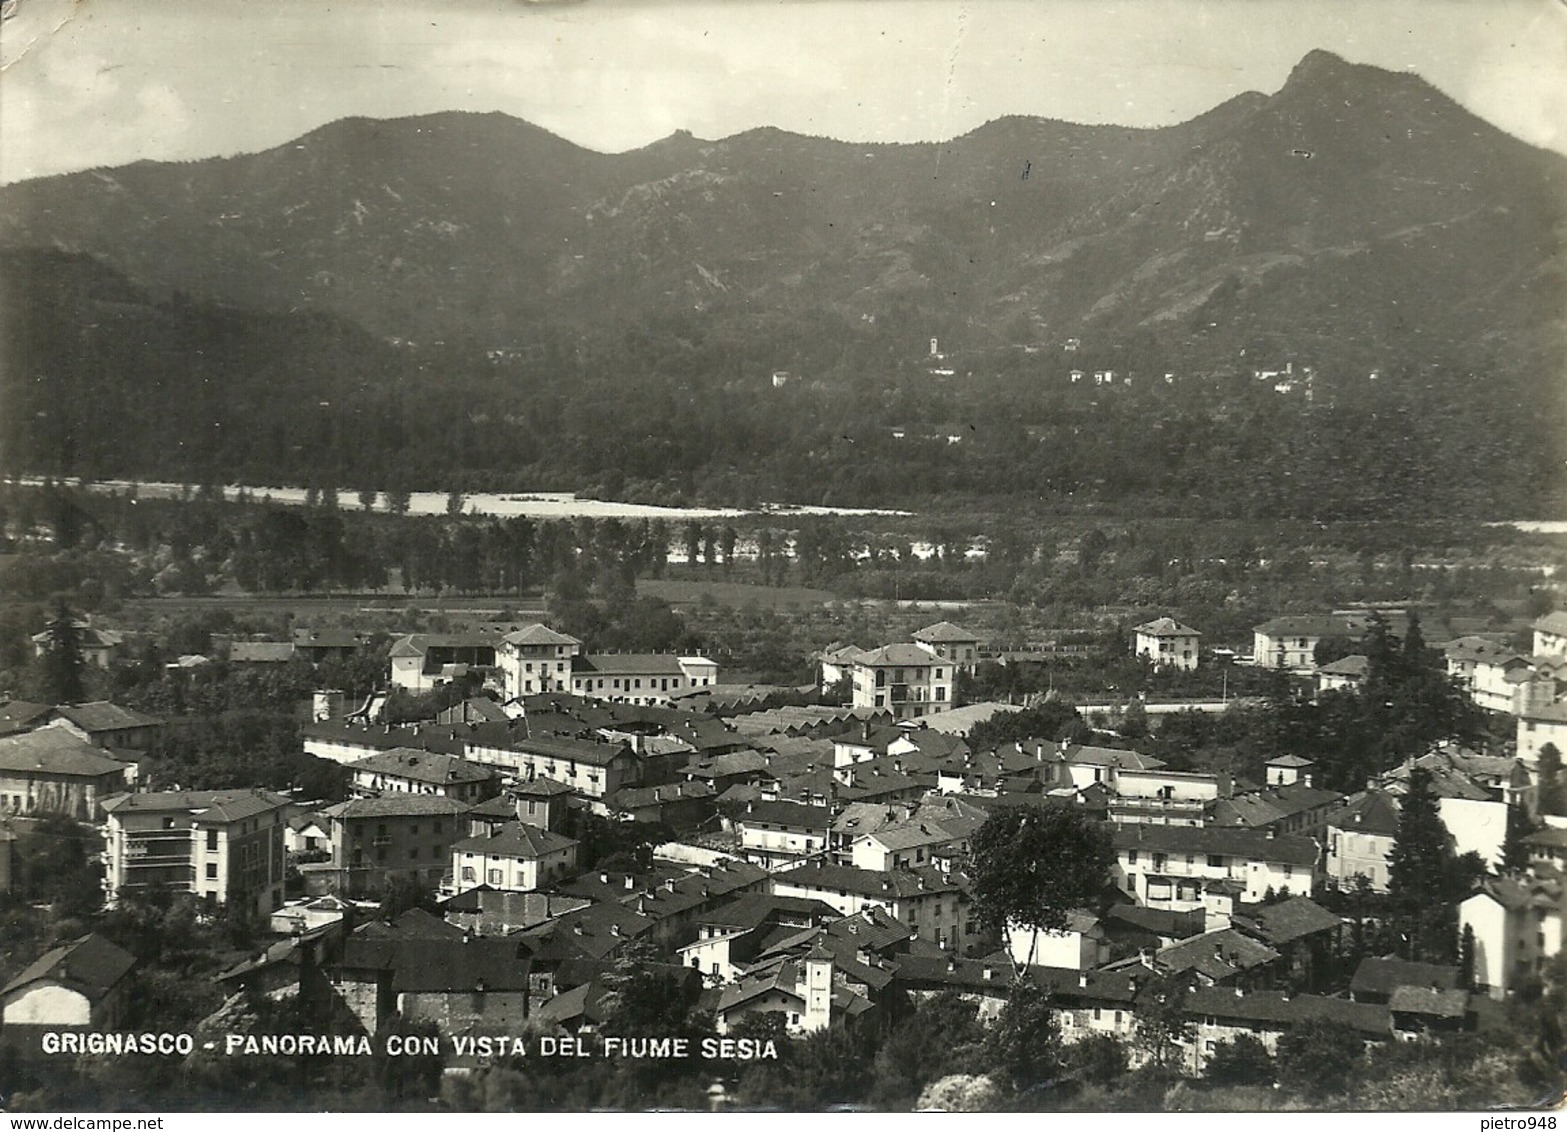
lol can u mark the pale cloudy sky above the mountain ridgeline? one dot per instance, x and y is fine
(106, 82)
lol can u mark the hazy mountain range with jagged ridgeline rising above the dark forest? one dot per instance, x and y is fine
(1355, 222)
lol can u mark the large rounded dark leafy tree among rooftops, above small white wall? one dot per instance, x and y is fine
(1032, 866)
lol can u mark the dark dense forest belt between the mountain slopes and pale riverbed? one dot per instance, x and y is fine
(103, 380)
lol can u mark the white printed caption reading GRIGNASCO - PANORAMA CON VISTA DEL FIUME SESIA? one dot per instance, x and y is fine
(399, 1045)
